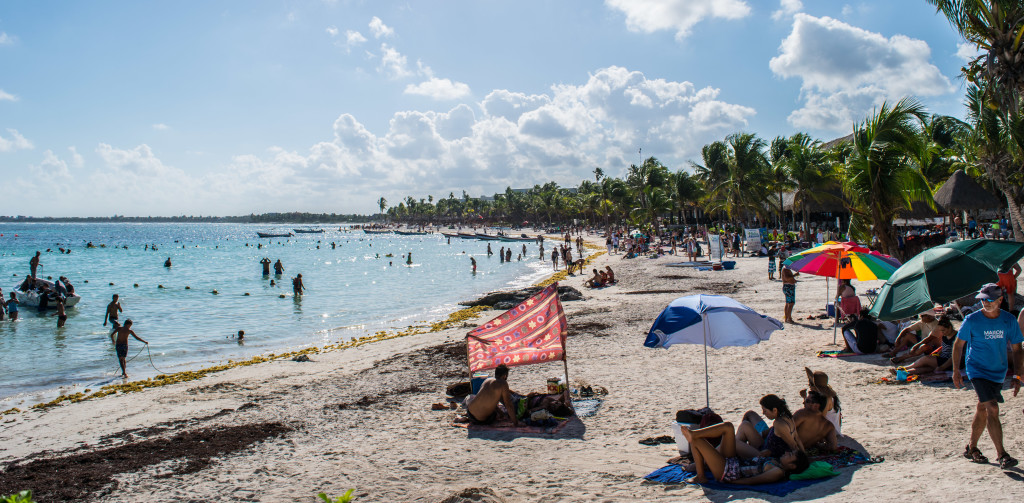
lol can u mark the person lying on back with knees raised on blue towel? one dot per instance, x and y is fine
(727, 467)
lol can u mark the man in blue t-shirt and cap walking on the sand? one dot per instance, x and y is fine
(987, 334)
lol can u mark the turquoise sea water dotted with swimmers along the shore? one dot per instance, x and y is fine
(352, 290)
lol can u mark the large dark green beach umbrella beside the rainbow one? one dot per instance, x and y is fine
(943, 274)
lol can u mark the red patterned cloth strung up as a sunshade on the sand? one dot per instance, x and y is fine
(533, 332)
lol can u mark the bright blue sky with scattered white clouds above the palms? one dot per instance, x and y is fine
(231, 108)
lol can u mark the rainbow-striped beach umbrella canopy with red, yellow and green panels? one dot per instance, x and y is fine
(844, 262)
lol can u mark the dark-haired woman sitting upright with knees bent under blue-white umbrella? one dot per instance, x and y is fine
(754, 438)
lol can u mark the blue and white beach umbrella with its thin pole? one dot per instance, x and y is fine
(713, 321)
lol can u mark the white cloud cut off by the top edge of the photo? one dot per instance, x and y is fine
(680, 16)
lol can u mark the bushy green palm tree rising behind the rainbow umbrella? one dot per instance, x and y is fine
(880, 177)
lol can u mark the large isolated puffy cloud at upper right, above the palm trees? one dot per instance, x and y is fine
(846, 70)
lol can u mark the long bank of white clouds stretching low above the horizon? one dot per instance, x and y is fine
(508, 139)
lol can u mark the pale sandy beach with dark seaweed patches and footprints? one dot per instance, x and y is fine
(361, 418)
